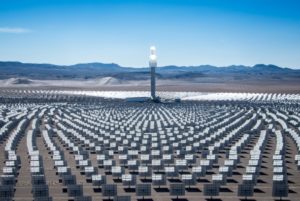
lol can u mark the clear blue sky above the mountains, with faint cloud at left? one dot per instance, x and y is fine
(185, 32)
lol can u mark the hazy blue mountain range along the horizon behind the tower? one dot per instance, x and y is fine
(88, 71)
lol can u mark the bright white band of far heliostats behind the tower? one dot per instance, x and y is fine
(236, 96)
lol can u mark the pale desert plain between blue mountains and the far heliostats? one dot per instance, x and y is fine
(111, 84)
